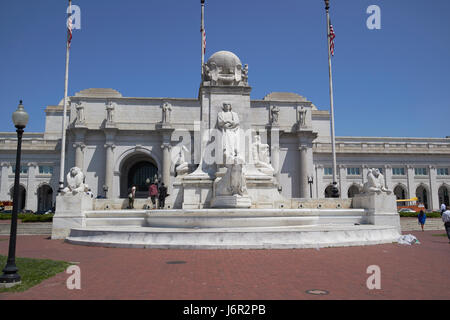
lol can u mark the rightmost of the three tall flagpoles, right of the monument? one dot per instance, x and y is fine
(335, 190)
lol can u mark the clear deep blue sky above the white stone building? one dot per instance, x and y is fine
(388, 82)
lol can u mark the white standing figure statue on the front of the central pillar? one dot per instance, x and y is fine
(228, 123)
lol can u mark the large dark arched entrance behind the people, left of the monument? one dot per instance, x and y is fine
(134, 172)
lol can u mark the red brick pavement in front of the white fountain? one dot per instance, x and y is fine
(407, 272)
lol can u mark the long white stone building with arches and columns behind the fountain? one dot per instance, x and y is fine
(121, 141)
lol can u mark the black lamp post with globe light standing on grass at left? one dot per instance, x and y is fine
(10, 275)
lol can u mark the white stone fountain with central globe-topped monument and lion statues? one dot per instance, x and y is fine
(232, 199)
